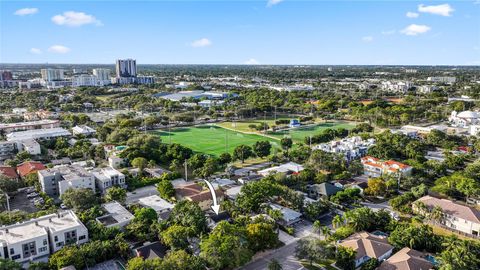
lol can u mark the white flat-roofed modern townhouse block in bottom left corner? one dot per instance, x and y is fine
(36, 239)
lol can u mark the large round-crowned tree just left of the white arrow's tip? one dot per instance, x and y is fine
(188, 214)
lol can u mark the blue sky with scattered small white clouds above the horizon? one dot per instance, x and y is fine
(239, 32)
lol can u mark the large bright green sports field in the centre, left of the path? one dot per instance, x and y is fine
(211, 139)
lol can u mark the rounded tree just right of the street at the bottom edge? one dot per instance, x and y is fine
(313, 249)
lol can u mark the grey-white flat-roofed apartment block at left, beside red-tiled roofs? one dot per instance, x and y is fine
(57, 180)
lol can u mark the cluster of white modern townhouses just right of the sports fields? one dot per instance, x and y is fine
(351, 148)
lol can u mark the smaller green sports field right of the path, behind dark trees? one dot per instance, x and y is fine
(299, 134)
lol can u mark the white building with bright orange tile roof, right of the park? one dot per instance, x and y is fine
(374, 167)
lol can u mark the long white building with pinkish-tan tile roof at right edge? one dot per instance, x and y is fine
(455, 216)
